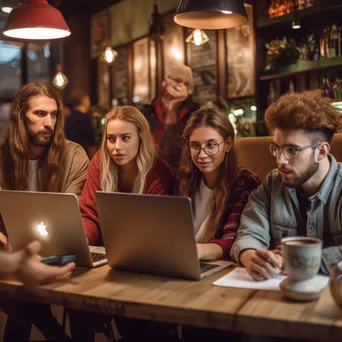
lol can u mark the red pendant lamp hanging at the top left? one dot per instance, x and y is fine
(36, 20)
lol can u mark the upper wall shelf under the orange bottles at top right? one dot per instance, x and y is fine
(325, 9)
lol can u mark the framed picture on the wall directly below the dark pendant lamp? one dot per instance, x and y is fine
(203, 62)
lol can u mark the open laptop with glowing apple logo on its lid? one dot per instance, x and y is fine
(54, 219)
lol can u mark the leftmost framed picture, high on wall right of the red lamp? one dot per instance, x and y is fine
(100, 33)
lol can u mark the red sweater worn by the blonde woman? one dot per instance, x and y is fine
(159, 181)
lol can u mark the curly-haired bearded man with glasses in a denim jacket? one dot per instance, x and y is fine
(303, 196)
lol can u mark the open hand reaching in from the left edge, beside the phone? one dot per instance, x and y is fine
(25, 266)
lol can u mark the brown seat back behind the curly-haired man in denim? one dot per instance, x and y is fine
(253, 153)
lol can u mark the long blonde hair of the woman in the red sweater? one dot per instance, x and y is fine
(145, 157)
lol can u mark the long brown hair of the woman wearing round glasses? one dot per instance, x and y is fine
(190, 176)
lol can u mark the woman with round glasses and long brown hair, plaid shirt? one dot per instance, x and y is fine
(210, 176)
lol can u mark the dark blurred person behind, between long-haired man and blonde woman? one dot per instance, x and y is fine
(78, 125)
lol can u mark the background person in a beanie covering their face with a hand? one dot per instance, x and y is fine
(169, 112)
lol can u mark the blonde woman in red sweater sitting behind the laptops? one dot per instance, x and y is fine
(126, 162)
